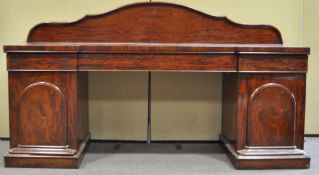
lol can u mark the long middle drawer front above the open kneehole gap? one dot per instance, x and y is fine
(157, 62)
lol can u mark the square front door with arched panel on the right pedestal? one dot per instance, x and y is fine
(275, 110)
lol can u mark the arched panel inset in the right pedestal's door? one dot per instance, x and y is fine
(271, 115)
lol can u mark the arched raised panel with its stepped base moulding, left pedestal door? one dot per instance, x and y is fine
(58, 99)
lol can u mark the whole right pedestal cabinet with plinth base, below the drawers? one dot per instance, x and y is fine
(269, 120)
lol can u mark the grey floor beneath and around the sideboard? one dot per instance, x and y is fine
(156, 159)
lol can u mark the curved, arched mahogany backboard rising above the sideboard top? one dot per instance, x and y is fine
(155, 22)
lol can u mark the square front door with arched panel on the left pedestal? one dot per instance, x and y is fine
(39, 108)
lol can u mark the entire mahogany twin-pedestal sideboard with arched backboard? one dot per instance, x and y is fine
(263, 103)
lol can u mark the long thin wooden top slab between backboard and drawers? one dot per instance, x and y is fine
(155, 48)
